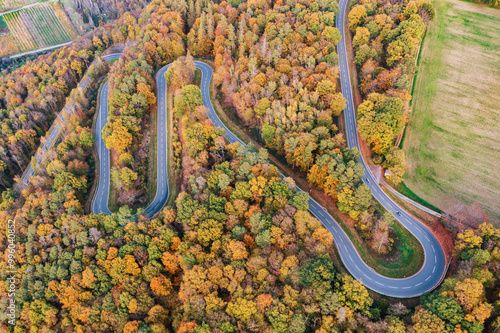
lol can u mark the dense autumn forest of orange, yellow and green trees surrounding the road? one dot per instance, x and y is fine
(235, 249)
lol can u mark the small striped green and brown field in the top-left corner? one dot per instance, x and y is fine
(36, 27)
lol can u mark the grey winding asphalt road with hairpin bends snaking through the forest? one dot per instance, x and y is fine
(429, 276)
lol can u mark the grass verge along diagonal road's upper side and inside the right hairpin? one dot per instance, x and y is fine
(410, 261)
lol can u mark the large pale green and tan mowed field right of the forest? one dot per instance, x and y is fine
(452, 142)
